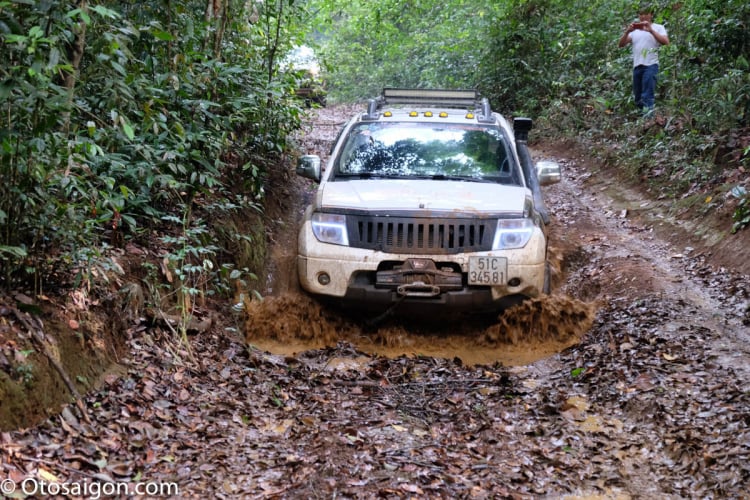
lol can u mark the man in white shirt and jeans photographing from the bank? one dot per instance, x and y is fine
(646, 38)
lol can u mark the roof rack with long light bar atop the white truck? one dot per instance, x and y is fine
(468, 99)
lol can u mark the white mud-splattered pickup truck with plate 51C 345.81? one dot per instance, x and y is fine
(429, 202)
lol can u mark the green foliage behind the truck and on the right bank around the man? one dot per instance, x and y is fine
(558, 61)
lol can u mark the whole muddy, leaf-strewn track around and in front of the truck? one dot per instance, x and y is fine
(631, 381)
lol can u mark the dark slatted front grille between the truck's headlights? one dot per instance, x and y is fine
(425, 236)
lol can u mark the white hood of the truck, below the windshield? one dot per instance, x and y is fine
(410, 195)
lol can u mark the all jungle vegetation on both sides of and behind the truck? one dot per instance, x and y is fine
(127, 121)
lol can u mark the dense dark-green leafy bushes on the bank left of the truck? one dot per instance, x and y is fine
(117, 116)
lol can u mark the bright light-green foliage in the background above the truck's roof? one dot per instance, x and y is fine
(400, 44)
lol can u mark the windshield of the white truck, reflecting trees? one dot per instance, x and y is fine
(427, 150)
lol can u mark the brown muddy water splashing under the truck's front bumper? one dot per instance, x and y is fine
(536, 329)
